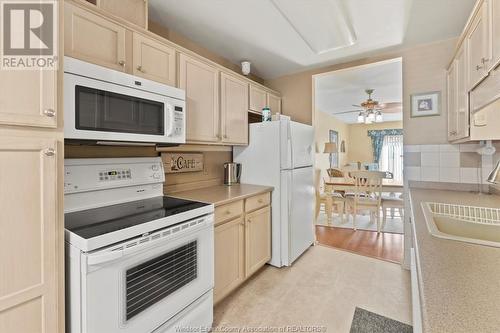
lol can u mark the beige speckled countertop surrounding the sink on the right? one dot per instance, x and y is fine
(459, 282)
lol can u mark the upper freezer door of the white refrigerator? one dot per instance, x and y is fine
(302, 137)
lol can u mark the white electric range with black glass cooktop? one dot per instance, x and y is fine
(136, 261)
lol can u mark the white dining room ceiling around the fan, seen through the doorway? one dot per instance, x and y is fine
(337, 91)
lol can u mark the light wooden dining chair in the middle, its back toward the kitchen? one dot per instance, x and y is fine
(367, 194)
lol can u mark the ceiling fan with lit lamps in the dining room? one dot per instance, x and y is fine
(371, 110)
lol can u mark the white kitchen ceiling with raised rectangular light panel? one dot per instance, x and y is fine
(284, 36)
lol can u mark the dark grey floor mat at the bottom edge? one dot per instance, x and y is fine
(368, 322)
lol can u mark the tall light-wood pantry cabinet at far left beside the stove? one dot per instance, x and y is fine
(31, 212)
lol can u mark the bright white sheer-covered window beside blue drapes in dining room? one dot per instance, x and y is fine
(391, 158)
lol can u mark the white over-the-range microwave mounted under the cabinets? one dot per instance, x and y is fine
(110, 107)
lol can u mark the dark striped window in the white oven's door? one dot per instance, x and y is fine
(152, 281)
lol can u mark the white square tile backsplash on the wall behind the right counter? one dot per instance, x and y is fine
(447, 163)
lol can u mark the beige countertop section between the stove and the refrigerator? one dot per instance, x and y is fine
(222, 194)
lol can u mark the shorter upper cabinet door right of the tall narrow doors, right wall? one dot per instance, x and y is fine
(478, 46)
